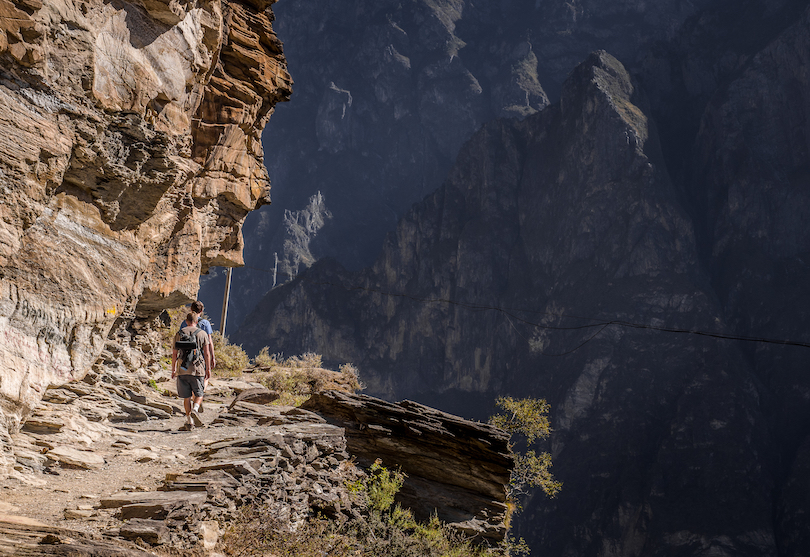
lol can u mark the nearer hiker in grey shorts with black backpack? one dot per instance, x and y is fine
(193, 368)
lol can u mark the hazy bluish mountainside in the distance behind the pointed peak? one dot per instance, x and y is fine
(388, 91)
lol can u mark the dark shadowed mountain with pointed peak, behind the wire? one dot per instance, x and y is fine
(592, 231)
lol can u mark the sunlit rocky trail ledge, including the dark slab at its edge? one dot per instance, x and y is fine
(100, 441)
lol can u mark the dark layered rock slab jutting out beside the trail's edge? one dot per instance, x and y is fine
(455, 468)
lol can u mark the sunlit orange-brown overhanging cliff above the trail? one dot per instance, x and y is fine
(130, 155)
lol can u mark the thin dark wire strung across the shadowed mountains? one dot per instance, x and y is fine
(600, 323)
